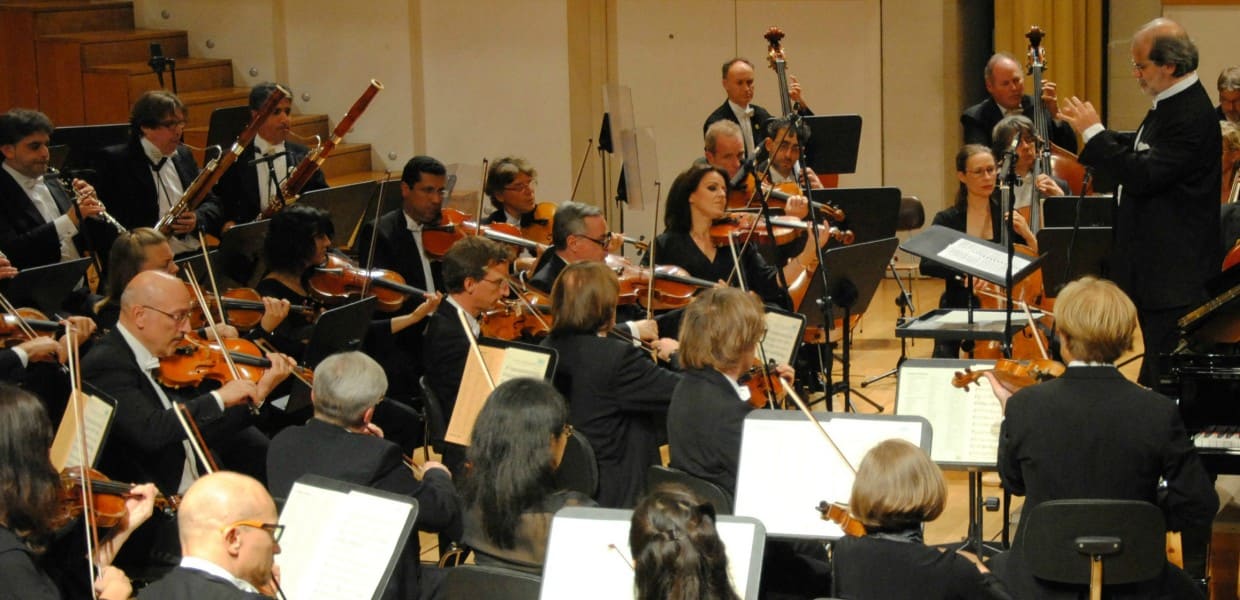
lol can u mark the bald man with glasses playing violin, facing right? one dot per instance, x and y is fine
(147, 442)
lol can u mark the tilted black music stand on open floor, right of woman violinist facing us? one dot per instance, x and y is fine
(854, 273)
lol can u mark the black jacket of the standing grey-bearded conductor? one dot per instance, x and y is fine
(1167, 224)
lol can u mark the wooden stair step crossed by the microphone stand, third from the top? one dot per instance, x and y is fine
(113, 89)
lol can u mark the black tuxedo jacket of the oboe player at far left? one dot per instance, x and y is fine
(28, 240)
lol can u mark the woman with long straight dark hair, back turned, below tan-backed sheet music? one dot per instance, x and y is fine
(510, 494)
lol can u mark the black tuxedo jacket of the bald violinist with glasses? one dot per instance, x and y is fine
(146, 439)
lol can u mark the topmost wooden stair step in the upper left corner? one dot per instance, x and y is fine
(22, 24)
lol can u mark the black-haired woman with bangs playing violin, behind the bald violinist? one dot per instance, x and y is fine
(298, 240)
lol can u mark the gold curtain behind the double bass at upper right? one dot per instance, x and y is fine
(1073, 43)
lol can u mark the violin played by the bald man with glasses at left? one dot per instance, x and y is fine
(197, 360)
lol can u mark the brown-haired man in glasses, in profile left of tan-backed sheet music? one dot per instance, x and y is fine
(477, 277)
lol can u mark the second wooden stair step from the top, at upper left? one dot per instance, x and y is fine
(61, 90)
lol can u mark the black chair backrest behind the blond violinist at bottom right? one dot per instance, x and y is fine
(1053, 534)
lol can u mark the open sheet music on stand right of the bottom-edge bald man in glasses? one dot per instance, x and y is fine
(338, 546)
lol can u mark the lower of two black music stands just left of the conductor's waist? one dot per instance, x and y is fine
(1068, 260)
